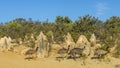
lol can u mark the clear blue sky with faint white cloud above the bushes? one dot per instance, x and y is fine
(48, 9)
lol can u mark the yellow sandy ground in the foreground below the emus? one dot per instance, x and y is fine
(12, 60)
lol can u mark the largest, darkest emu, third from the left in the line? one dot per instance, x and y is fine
(76, 52)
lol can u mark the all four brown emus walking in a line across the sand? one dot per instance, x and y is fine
(68, 53)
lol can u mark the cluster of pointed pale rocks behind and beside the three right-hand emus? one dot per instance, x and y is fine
(91, 45)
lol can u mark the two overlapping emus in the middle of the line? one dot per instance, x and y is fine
(73, 53)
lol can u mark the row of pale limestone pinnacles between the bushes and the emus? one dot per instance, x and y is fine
(6, 43)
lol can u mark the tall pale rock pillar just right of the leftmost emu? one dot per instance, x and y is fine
(43, 45)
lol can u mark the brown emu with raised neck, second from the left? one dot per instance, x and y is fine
(63, 53)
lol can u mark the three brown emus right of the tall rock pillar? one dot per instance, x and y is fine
(78, 52)
